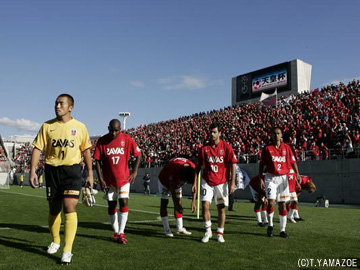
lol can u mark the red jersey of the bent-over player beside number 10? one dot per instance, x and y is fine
(171, 172)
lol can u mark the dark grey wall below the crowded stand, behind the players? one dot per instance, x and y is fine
(337, 180)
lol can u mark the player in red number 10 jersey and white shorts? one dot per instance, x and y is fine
(219, 162)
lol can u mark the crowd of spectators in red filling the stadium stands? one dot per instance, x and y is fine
(320, 125)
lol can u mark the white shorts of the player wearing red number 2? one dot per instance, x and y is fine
(277, 187)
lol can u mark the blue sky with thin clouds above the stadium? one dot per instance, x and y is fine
(159, 59)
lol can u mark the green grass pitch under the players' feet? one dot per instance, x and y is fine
(327, 233)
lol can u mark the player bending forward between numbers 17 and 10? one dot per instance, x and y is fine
(171, 179)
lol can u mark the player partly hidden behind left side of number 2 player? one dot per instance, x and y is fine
(258, 194)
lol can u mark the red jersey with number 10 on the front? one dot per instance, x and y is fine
(217, 161)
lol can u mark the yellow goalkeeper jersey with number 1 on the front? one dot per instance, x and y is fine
(62, 142)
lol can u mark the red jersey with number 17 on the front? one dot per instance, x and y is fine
(114, 155)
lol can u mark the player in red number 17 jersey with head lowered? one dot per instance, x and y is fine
(112, 154)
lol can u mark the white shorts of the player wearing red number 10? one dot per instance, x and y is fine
(219, 192)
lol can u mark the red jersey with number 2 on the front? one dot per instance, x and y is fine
(278, 161)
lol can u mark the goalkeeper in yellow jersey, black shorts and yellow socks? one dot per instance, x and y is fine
(63, 139)
